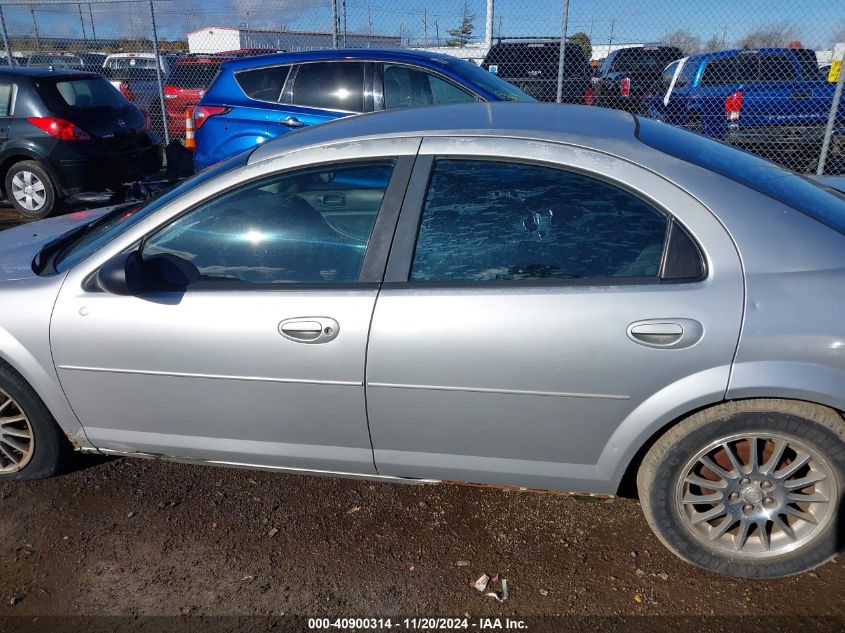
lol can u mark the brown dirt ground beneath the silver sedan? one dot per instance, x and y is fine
(140, 538)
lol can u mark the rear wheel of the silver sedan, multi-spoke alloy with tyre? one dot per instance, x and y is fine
(749, 488)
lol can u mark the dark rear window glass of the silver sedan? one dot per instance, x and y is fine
(808, 196)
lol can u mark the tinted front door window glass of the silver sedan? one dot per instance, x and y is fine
(307, 226)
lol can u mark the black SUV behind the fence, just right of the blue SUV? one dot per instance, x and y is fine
(532, 66)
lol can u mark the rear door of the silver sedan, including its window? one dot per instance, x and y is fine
(543, 306)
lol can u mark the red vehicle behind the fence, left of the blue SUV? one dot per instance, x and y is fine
(189, 78)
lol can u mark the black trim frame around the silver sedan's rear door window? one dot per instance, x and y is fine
(407, 232)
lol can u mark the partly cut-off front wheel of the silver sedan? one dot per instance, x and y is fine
(32, 446)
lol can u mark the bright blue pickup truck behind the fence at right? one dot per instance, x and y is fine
(772, 101)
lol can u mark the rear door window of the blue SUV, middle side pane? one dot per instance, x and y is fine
(330, 85)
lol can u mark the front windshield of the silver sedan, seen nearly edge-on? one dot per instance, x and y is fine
(113, 224)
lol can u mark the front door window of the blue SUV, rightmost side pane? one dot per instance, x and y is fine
(407, 87)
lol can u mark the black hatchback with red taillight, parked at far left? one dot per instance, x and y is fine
(67, 132)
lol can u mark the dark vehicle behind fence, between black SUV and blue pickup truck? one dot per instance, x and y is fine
(627, 75)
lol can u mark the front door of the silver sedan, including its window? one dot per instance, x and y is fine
(261, 361)
